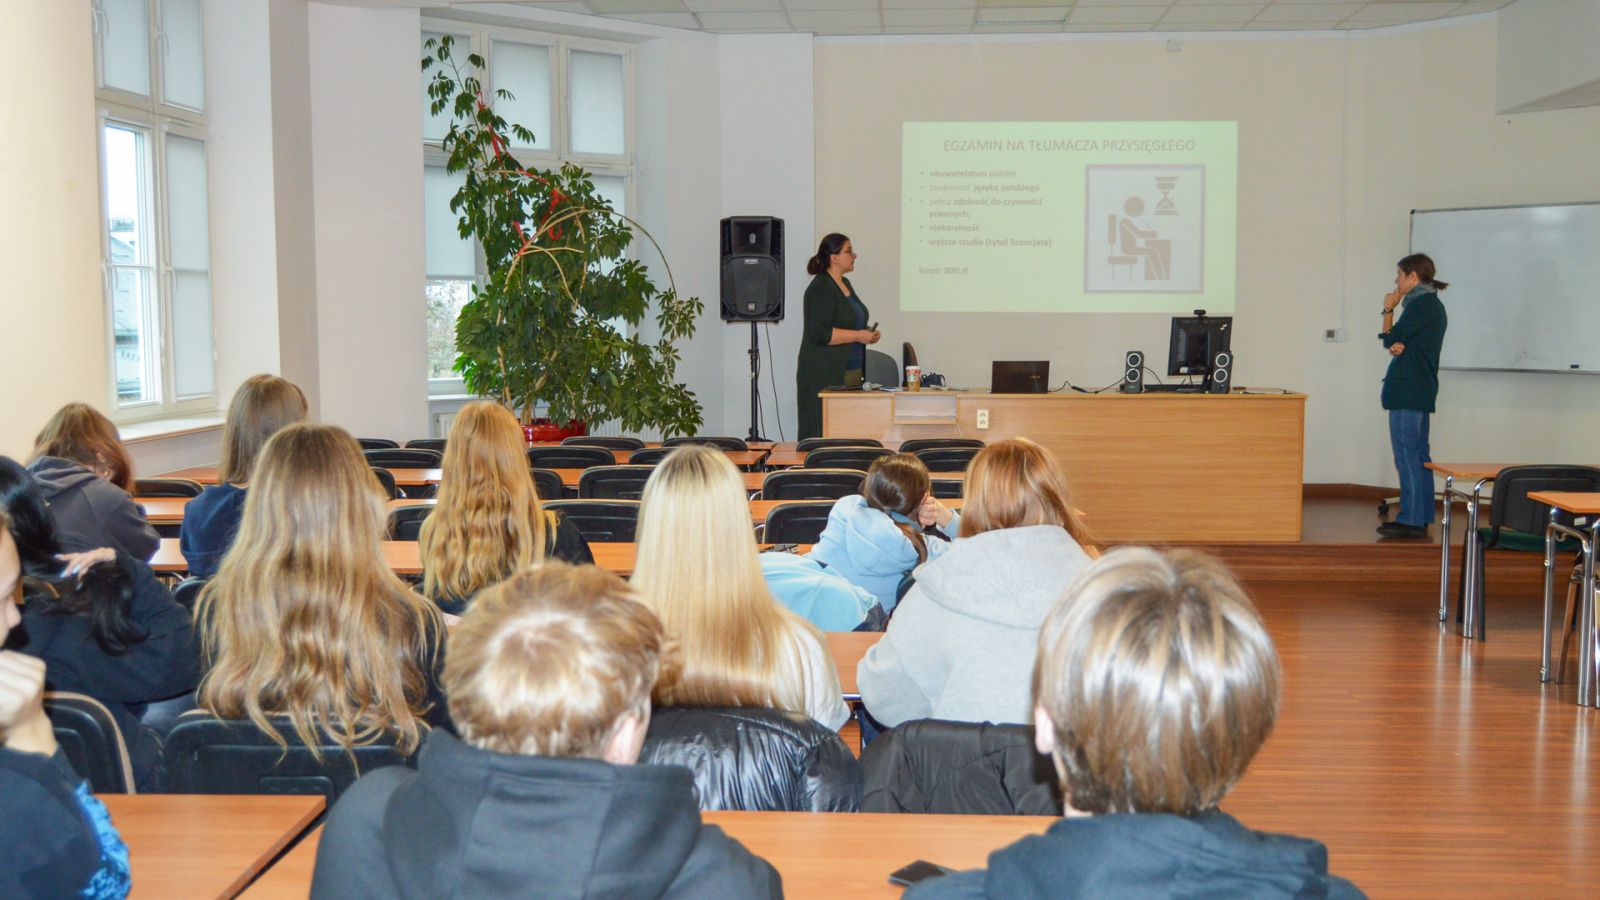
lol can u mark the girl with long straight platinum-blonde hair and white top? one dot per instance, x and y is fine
(698, 569)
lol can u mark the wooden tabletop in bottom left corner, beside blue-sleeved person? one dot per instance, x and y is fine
(204, 845)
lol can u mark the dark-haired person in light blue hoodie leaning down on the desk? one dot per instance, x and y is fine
(874, 539)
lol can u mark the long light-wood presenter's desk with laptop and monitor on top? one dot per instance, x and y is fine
(1145, 467)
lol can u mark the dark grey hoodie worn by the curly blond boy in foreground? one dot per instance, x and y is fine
(479, 824)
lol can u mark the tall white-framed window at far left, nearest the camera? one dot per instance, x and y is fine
(150, 70)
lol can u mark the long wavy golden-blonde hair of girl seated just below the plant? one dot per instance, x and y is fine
(489, 523)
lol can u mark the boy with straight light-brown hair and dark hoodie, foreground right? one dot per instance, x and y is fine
(1156, 686)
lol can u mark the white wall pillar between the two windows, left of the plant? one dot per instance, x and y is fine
(367, 175)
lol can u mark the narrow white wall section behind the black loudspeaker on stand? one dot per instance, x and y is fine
(769, 150)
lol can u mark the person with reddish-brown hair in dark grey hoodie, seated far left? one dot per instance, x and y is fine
(87, 478)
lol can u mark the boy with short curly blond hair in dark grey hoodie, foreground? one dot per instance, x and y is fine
(550, 681)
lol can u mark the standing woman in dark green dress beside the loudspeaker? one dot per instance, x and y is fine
(834, 347)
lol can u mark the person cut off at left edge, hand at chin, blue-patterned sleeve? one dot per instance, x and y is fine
(55, 838)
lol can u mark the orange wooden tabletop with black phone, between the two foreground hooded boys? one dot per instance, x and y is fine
(820, 854)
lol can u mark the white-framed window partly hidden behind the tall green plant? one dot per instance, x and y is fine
(575, 97)
